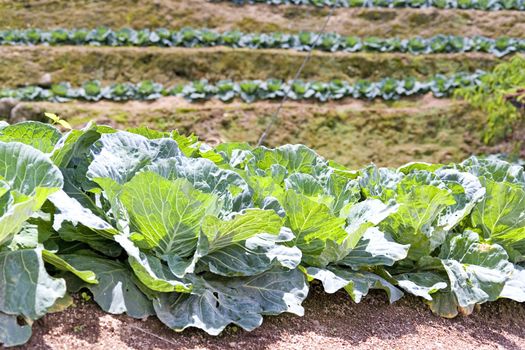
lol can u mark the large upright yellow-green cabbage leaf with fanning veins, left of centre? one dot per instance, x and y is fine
(166, 215)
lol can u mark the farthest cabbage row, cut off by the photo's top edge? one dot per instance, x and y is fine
(486, 5)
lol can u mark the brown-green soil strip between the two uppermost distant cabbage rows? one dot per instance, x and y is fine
(259, 18)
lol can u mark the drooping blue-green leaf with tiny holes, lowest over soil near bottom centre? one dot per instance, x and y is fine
(218, 301)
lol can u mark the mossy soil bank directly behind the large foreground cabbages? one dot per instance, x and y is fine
(352, 133)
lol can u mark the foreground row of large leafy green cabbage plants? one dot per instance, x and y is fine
(151, 223)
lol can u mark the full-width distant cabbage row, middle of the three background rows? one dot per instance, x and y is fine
(304, 41)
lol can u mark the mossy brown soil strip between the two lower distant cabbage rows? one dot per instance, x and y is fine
(26, 65)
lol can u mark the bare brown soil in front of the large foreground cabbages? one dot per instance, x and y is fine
(330, 322)
